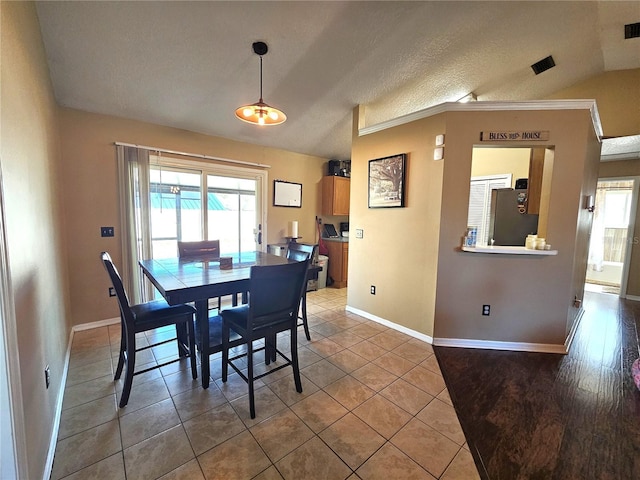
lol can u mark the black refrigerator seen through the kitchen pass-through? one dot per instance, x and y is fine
(508, 225)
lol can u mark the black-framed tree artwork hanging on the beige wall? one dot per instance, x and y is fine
(386, 181)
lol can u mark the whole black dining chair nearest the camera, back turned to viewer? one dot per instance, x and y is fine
(275, 292)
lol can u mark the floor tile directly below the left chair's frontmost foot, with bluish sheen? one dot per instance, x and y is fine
(147, 422)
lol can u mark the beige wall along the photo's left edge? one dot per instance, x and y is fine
(29, 152)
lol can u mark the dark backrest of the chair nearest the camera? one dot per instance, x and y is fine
(275, 292)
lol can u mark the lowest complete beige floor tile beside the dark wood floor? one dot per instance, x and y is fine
(427, 447)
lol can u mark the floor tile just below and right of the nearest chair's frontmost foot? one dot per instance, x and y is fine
(281, 434)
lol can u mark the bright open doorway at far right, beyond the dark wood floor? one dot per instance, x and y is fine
(611, 231)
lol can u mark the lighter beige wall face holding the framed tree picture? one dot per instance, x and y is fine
(398, 252)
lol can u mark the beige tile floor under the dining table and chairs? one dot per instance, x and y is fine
(374, 406)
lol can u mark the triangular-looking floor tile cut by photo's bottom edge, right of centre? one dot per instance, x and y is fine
(390, 463)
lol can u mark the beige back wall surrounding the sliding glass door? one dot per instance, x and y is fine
(90, 194)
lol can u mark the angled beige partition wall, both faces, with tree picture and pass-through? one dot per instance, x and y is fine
(416, 248)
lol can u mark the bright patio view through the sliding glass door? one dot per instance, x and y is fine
(231, 213)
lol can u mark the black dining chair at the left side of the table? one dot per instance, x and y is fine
(144, 317)
